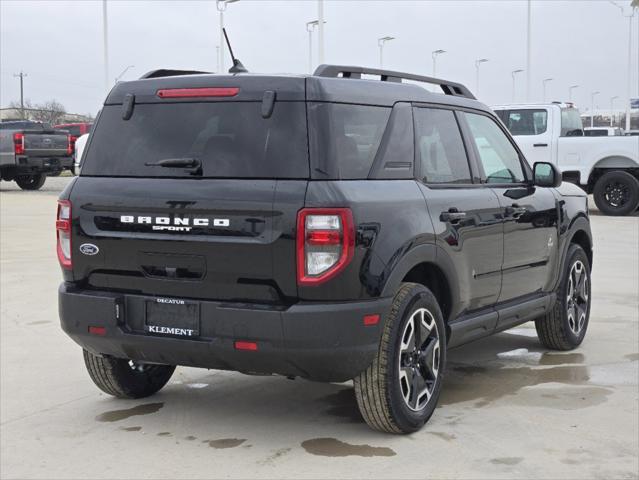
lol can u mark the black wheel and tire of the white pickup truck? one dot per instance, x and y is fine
(616, 193)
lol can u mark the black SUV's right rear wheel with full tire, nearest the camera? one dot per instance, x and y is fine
(384, 397)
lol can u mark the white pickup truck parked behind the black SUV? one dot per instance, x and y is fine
(607, 167)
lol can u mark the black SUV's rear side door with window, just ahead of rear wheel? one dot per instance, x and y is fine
(466, 216)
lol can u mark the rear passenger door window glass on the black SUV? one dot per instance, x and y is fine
(440, 147)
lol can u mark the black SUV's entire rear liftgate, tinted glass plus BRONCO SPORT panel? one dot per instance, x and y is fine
(224, 230)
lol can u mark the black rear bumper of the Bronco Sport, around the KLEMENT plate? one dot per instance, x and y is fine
(319, 341)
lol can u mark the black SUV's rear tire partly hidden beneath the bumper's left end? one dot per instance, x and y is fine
(126, 379)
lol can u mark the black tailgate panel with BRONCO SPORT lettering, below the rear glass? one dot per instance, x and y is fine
(211, 239)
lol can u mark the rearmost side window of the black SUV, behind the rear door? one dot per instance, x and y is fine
(345, 138)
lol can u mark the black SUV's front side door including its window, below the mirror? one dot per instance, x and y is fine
(530, 213)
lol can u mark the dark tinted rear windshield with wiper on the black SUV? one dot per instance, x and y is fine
(230, 139)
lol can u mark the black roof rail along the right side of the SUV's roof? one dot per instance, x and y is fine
(449, 88)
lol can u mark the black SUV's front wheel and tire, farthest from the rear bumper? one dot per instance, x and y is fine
(564, 326)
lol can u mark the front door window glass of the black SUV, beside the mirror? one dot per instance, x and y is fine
(498, 157)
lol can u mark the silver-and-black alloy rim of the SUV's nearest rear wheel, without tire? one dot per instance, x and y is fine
(419, 359)
